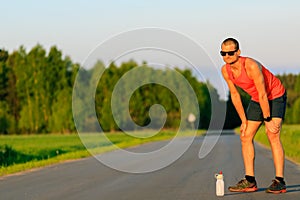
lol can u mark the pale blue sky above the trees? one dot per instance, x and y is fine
(267, 30)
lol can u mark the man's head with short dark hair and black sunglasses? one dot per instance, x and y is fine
(230, 50)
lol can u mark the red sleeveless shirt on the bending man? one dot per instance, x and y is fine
(274, 88)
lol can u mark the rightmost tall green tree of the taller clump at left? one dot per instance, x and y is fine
(58, 82)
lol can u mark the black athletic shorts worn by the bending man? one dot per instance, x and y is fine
(277, 109)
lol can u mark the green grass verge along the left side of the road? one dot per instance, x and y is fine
(24, 152)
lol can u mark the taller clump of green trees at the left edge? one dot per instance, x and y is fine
(35, 91)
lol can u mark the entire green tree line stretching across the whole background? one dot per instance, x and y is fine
(36, 94)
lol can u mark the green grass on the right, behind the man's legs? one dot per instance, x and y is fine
(290, 138)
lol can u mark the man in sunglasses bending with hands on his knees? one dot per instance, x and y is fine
(268, 102)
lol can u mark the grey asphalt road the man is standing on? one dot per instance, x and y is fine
(188, 178)
